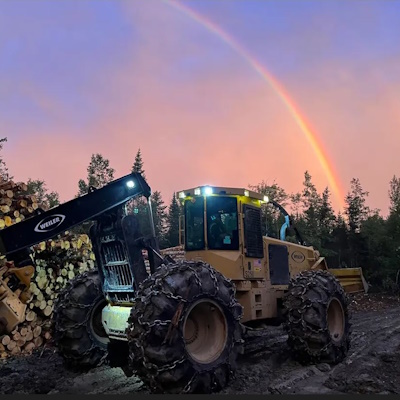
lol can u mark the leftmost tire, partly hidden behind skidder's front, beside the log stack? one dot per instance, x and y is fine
(79, 334)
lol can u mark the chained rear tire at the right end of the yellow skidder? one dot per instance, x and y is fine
(317, 318)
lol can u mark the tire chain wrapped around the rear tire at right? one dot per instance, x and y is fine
(311, 282)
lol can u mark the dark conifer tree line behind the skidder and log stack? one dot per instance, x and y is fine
(358, 237)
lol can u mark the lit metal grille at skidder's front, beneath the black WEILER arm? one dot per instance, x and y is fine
(117, 272)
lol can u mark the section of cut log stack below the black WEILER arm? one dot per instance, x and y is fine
(57, 261)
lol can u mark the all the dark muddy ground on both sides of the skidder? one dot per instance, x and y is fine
(371, 367)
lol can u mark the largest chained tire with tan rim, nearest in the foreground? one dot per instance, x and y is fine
(184, 331)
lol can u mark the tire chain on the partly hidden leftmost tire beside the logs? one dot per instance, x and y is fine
(64, 302)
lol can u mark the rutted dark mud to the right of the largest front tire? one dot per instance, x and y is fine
(371, 366)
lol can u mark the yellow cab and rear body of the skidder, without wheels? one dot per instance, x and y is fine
(261, 279)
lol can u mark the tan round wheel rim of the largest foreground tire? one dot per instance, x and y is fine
(205, 331)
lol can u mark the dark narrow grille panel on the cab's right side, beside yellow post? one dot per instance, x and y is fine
(252, 232)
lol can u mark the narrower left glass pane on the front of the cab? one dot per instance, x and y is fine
(194, 224)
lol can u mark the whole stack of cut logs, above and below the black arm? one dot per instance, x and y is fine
(56, 262)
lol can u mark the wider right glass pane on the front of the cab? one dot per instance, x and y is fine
(222, 223)
